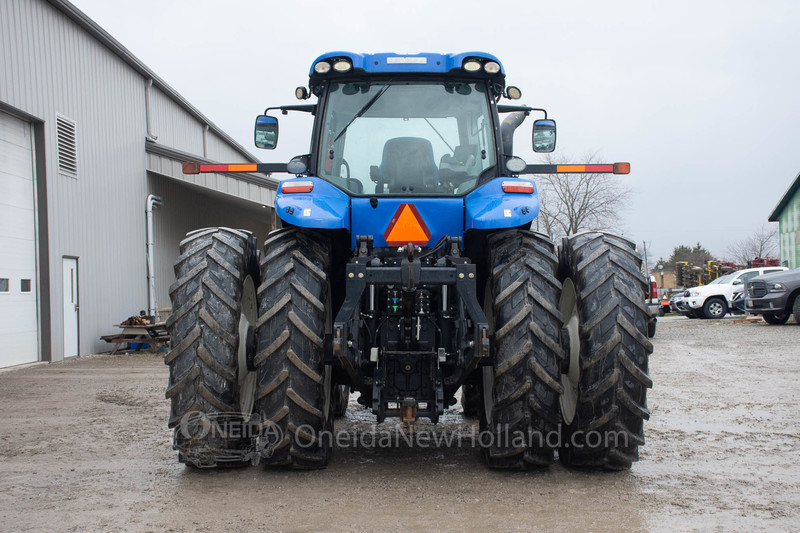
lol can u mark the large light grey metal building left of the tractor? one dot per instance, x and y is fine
(89, 138)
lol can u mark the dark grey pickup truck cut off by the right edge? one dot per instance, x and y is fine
(775, 296)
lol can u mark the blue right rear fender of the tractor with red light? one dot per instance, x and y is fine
(489, 207)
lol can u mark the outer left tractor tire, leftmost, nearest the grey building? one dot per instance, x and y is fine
(217, 272)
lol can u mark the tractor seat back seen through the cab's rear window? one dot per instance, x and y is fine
(408, 165)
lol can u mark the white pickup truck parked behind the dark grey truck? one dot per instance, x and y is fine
(714, 299)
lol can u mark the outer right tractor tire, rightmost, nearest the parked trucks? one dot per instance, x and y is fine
(611, 390)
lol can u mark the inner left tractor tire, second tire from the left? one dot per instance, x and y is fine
(293, 392)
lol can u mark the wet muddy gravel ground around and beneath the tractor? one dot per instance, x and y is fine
(84, 446)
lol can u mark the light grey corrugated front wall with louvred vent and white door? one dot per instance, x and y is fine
(56, 67)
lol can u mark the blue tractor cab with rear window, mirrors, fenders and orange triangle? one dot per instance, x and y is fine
(423, 126)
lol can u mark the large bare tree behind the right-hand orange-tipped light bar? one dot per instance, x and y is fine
(571, 203)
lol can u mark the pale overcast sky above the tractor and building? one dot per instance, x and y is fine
(703, 98)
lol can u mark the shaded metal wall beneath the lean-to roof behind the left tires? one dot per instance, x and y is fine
(185, 208)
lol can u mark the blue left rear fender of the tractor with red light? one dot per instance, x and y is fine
(325, 207)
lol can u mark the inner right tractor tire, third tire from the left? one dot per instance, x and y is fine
(520, 407)
